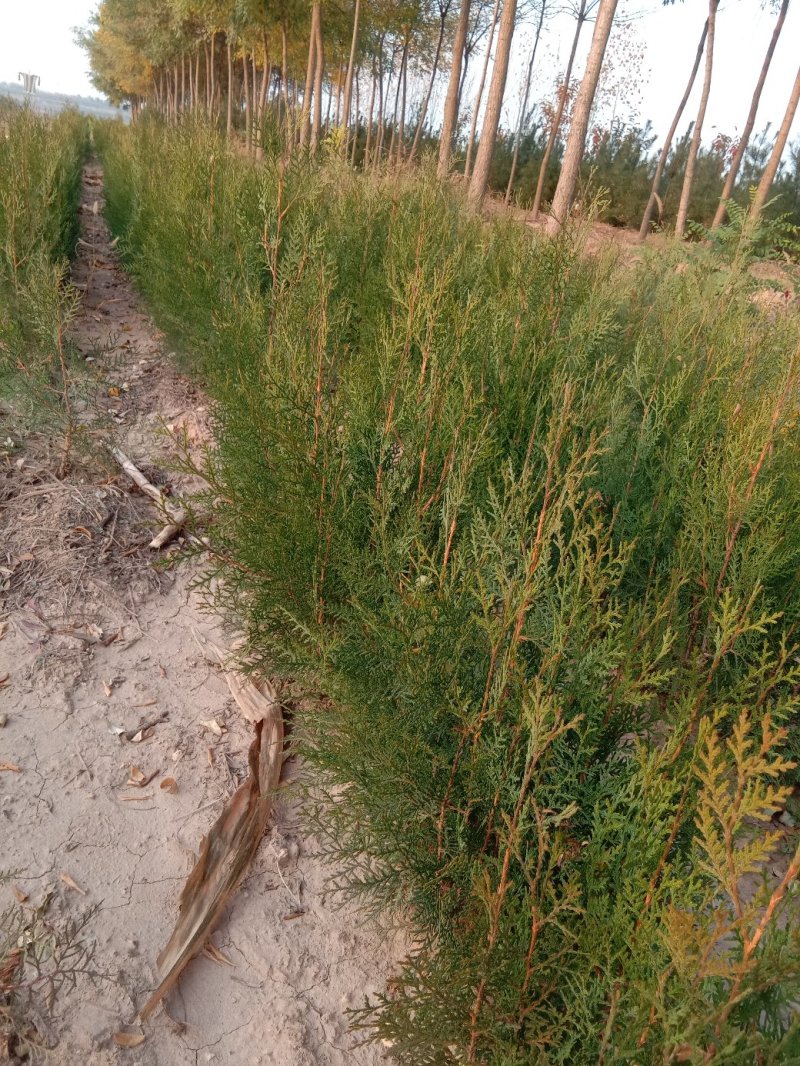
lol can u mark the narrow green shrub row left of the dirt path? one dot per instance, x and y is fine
(41, 160)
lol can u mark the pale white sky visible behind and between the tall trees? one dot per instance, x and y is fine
(37, 37)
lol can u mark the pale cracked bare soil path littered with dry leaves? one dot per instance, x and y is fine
(98, 639)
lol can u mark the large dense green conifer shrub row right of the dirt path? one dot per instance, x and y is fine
(530, 521)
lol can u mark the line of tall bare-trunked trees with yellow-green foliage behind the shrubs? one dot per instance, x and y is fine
(364, 78)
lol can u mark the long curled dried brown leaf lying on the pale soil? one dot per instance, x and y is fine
(225, 858)
